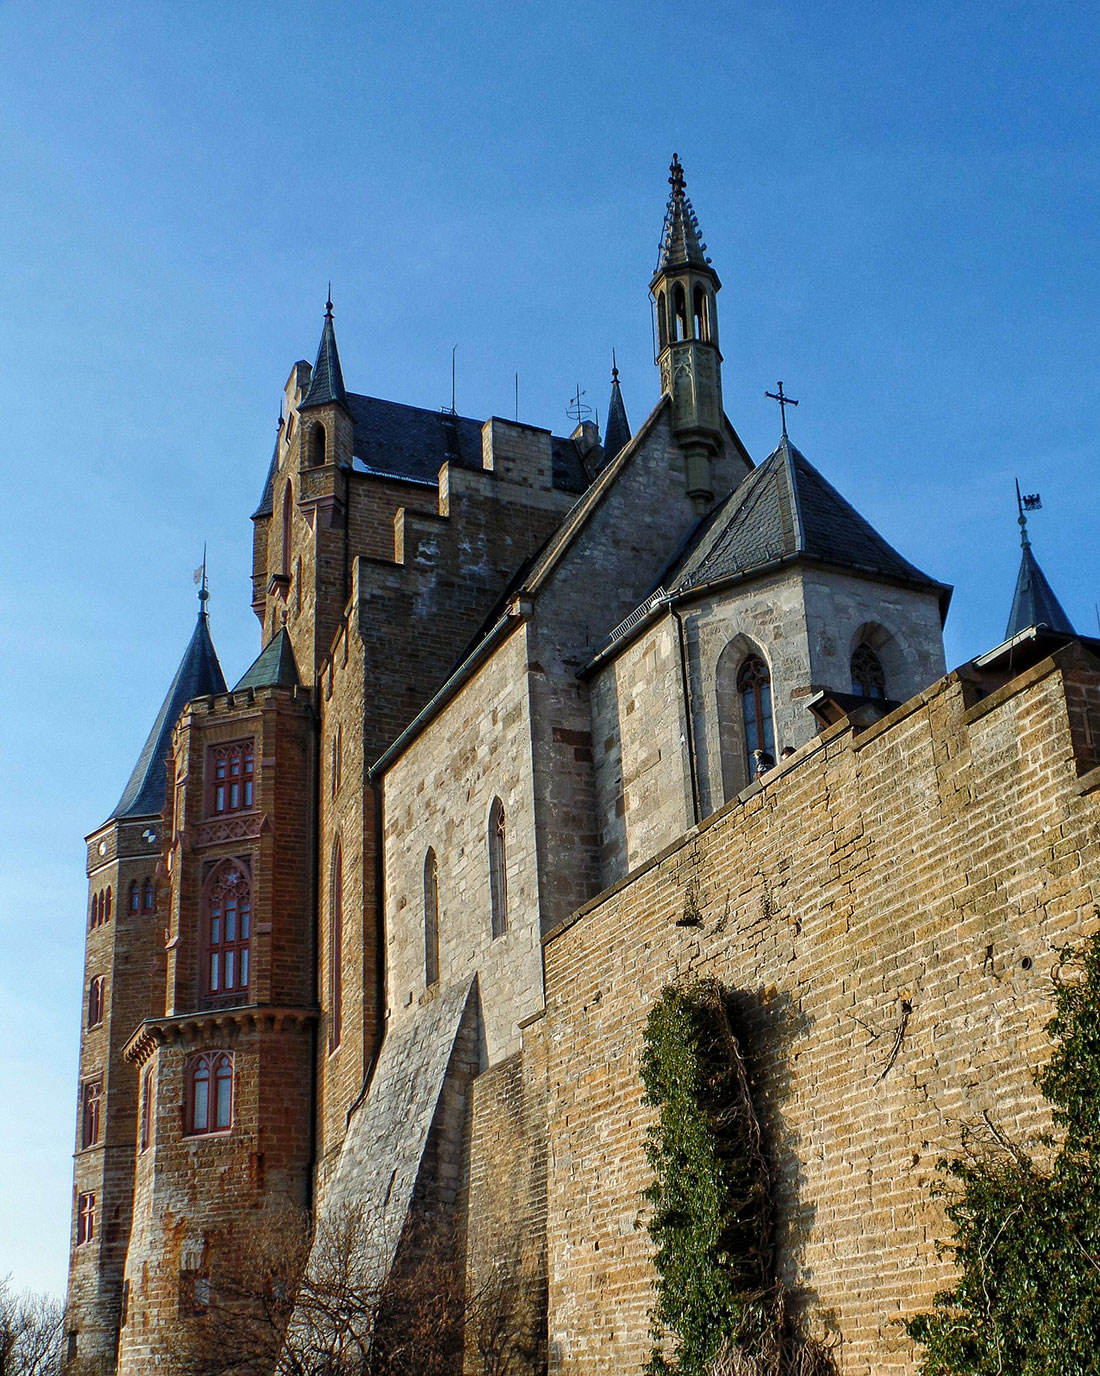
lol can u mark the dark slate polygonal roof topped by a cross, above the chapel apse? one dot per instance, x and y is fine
(787, 510)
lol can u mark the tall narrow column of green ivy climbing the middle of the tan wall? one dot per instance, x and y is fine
(711, 1203)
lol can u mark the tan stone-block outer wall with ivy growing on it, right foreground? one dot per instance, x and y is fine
(918, 879)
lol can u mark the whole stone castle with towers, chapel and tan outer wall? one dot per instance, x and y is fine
(539, 726)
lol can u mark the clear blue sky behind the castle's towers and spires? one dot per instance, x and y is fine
(902, 203)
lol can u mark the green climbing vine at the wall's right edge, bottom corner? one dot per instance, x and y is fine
(1026, 1235)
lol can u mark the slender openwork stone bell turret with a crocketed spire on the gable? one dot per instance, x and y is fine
(685, 288)
